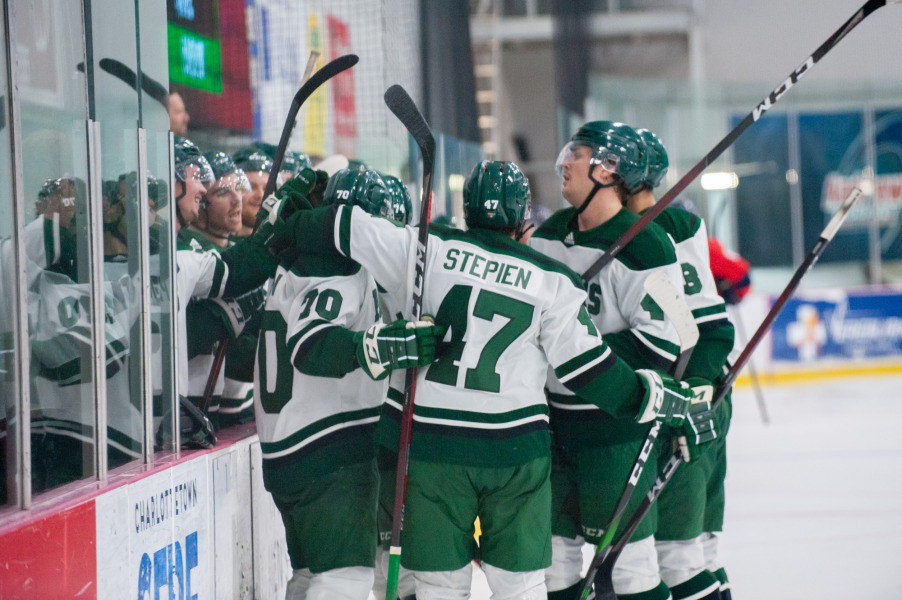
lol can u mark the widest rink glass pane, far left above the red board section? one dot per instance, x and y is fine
(53, 108)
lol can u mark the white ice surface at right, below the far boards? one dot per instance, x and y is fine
(814, 499)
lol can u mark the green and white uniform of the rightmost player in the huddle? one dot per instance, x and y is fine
(695, 494)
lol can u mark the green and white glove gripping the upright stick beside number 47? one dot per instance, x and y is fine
(399, 345)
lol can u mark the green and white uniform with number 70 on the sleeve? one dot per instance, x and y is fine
(316, 413)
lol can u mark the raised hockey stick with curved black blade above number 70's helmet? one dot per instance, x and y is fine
(310, 84)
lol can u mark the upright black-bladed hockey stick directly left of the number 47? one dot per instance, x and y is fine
(400, 103)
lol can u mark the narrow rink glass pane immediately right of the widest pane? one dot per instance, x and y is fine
(114, 104)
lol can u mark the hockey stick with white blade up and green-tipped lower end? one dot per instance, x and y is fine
(671, 301)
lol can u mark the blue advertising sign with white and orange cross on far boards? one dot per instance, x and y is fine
(839, 326)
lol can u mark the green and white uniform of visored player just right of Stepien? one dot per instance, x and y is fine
(594, 453)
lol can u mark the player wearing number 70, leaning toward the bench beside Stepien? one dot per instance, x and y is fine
(319, 384)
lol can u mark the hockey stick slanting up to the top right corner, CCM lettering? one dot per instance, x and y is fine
(763, 106)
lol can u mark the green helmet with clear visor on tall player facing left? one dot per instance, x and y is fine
(616, 147)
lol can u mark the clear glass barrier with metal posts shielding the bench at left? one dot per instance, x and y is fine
(86, 143)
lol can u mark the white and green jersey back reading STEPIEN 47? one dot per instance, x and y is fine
(509, 313)
